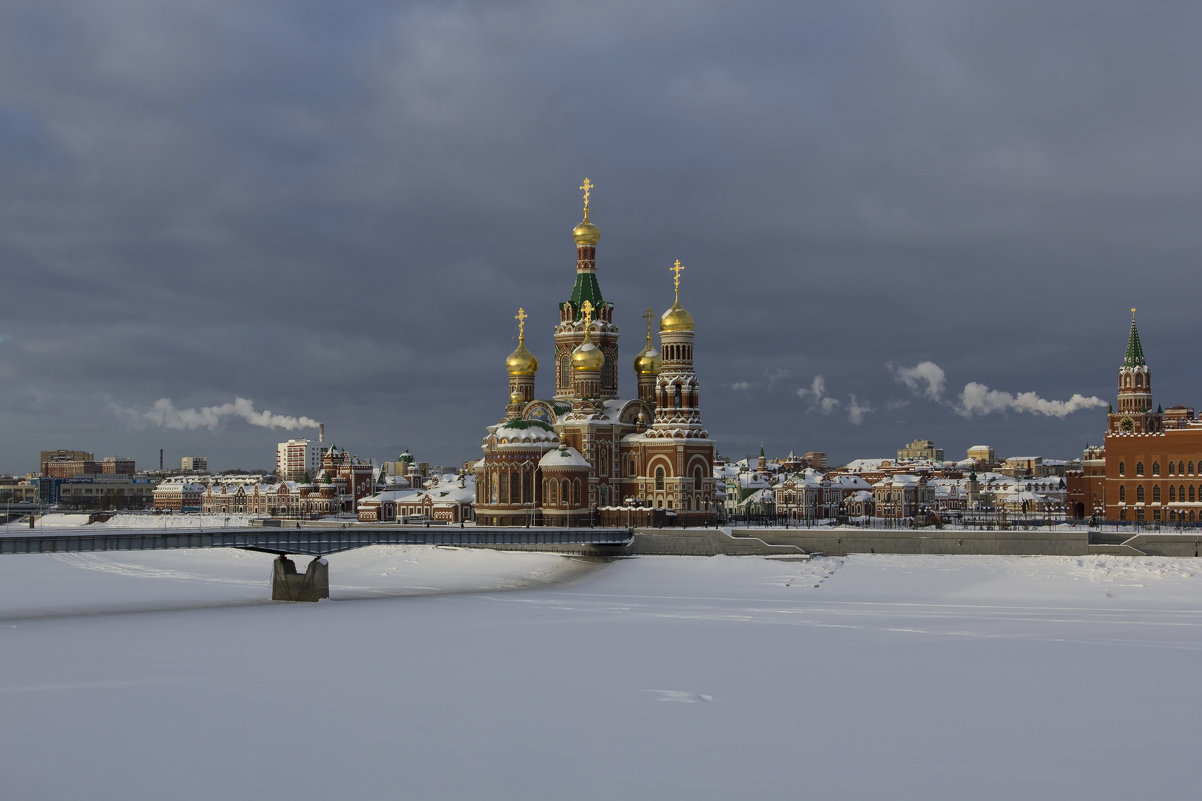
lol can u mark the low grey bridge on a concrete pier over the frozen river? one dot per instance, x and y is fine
(317, 542)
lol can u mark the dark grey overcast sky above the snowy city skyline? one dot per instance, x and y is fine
(898, 219)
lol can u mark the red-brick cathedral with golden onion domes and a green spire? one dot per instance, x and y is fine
(587, 456)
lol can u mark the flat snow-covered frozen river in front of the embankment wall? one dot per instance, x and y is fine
(441, 674)
